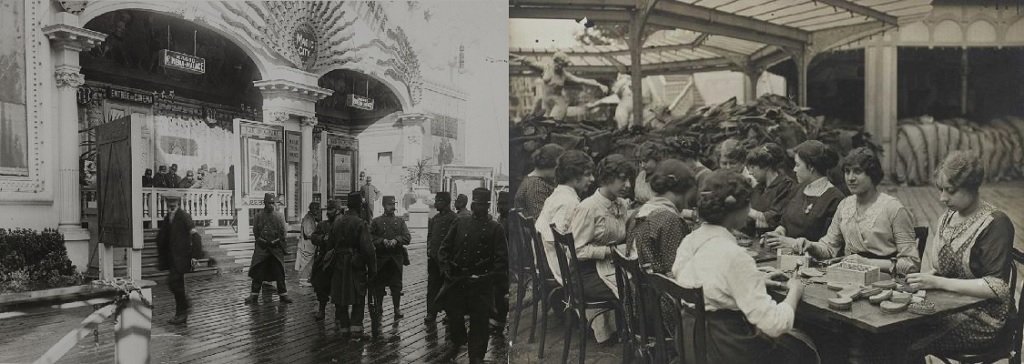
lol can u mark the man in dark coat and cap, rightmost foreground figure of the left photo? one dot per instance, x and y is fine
(474, 260)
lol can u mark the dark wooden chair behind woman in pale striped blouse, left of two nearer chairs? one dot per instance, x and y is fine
(576, 304)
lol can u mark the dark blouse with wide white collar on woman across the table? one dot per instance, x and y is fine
(809, 215)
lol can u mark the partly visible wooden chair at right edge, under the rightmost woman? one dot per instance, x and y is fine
(1009, 346)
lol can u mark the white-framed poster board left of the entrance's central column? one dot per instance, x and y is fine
(262, 154)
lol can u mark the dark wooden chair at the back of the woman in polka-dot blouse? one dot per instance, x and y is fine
(634, 294)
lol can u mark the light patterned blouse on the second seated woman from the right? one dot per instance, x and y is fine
(884, 230)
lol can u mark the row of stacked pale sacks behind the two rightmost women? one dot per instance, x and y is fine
(923, 143)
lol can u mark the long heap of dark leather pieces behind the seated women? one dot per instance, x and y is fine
(769, 119)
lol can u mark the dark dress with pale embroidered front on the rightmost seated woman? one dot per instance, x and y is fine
(978, 248)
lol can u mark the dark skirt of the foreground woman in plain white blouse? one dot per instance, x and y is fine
(732, 339)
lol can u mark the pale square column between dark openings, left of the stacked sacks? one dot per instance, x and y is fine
(881, 99)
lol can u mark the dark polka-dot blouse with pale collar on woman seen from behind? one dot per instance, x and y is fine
(656, 233)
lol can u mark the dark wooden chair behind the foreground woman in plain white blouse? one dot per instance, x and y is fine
(690, 301)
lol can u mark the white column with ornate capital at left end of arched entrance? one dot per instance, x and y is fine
(68, 41)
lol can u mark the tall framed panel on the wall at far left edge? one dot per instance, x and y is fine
(14, 118)
